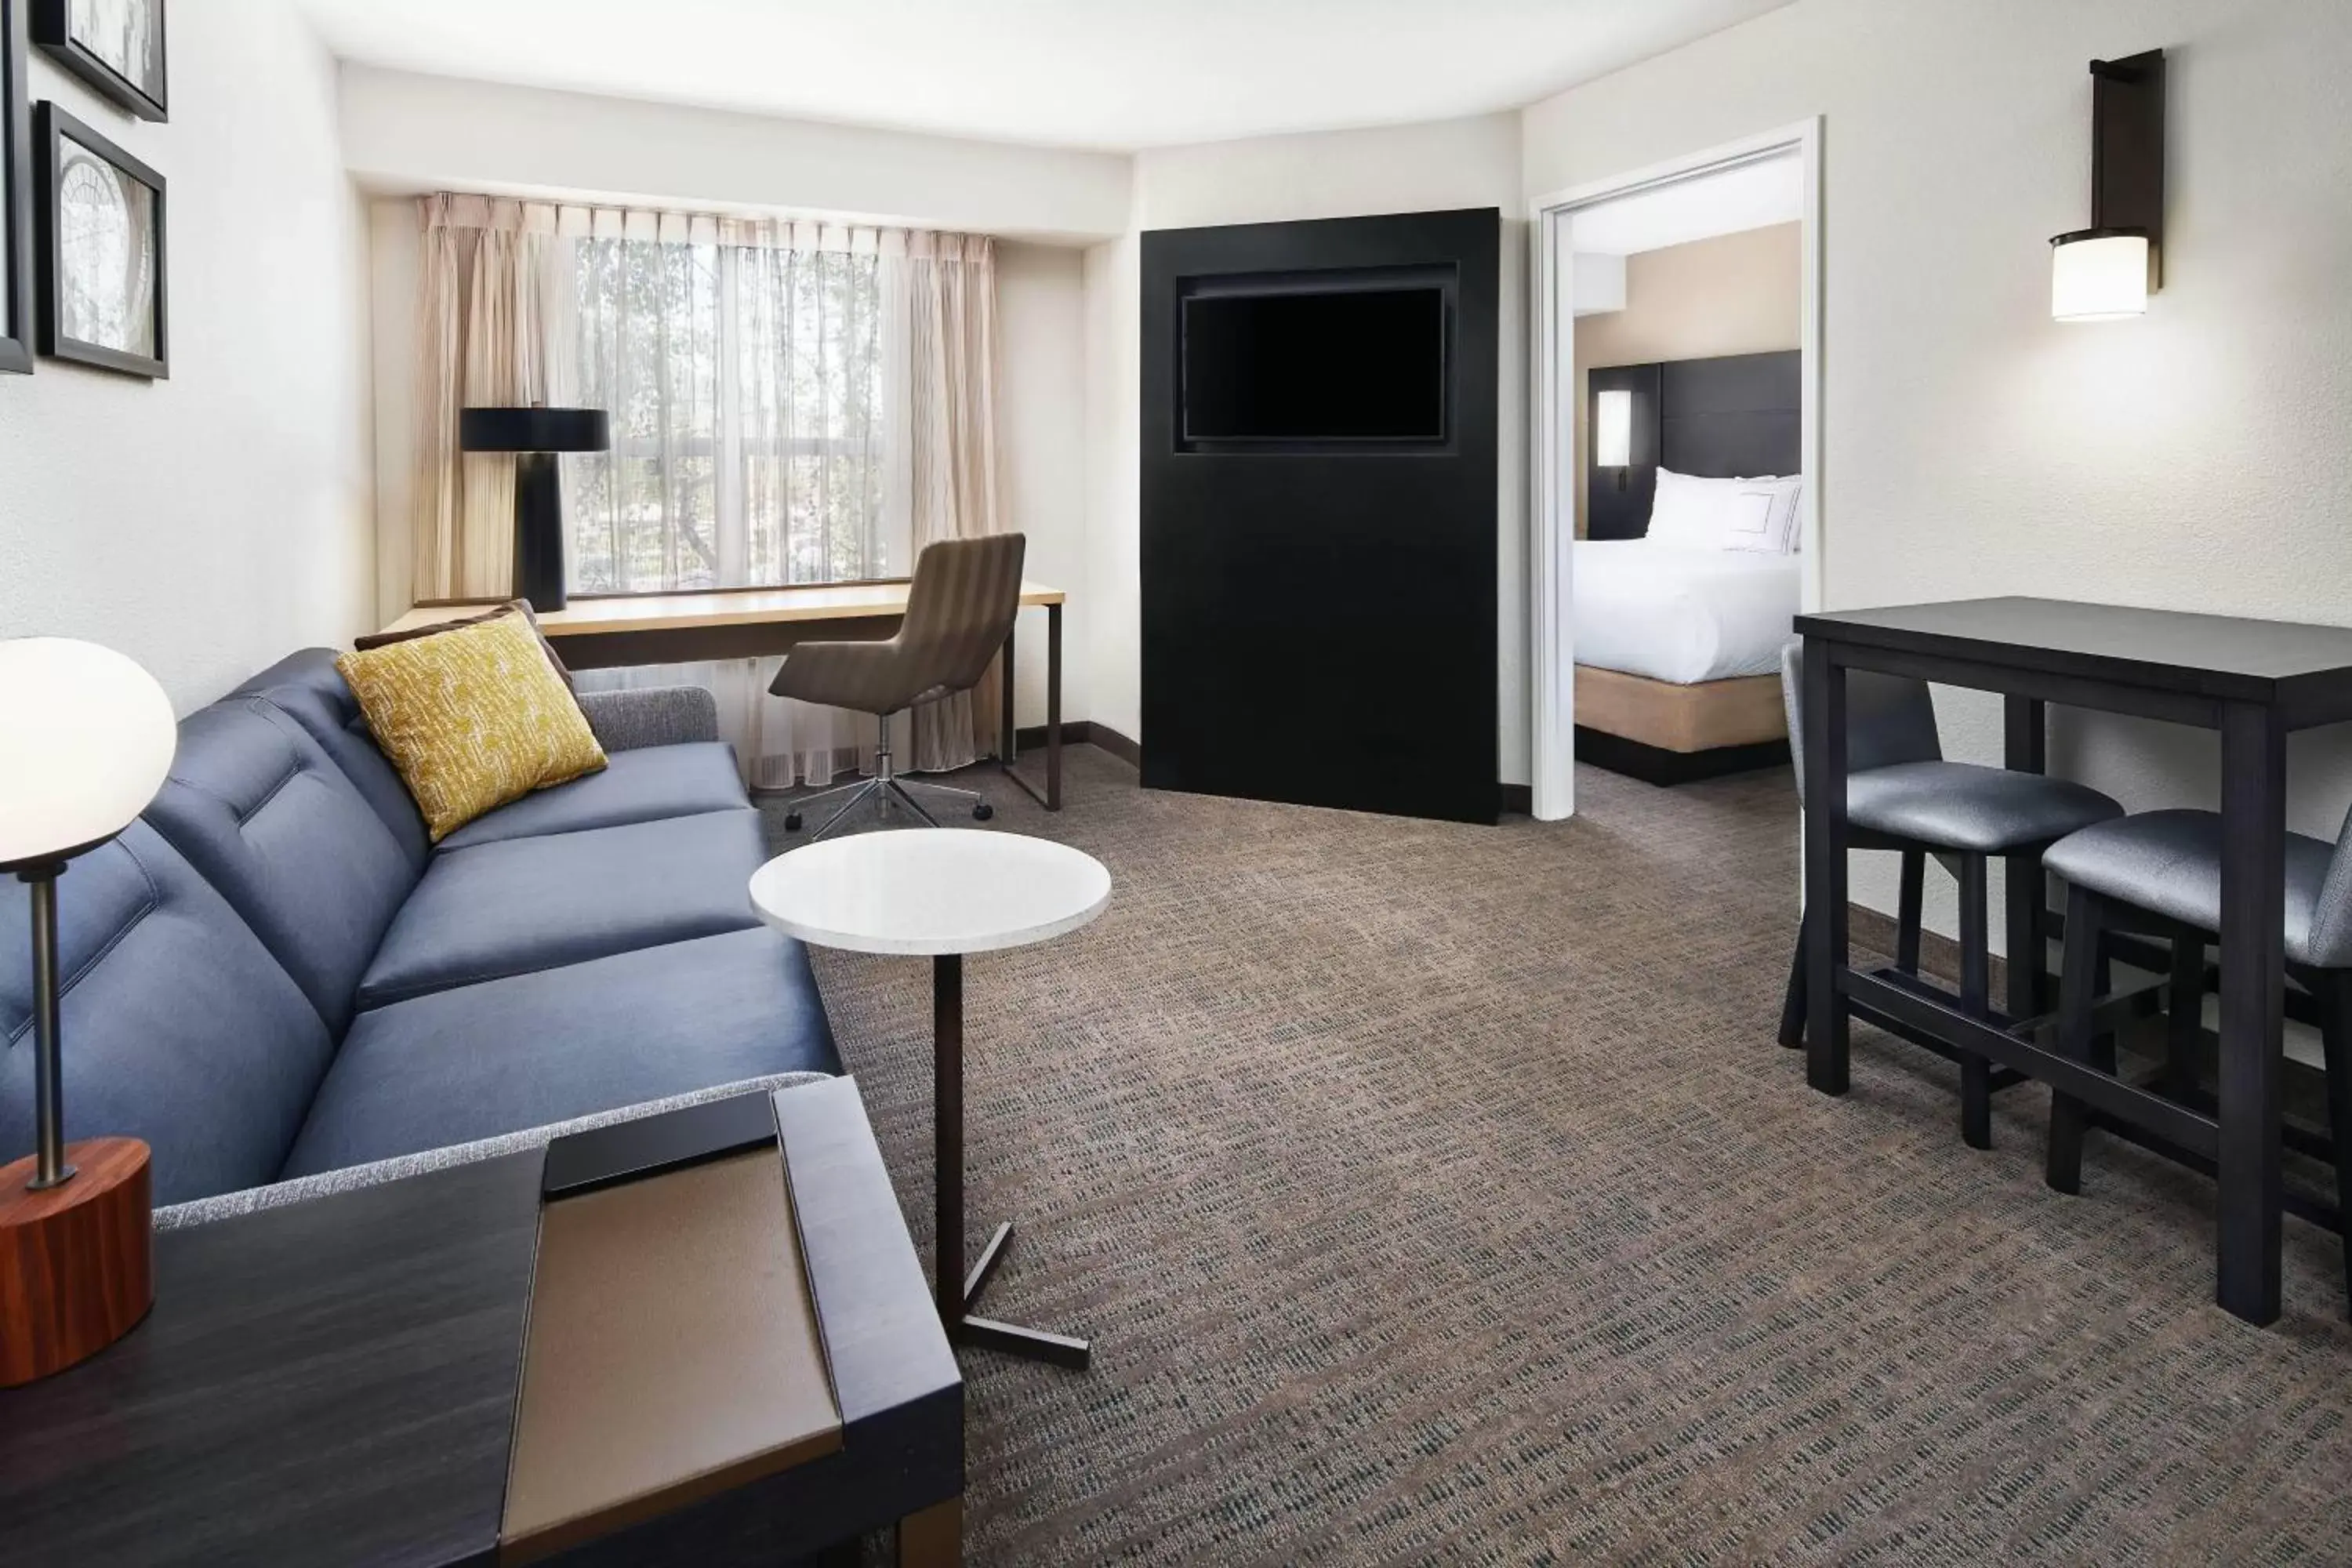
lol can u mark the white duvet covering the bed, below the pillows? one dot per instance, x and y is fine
(1681, 615)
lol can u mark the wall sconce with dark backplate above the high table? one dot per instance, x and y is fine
(2109, 272)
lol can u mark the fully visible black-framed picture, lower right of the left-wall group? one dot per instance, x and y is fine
(102, 257)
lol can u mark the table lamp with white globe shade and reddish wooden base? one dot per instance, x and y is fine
(86, 742)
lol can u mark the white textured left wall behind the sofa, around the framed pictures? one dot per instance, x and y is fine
(218, 521)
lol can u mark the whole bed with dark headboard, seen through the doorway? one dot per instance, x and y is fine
(1678, 645)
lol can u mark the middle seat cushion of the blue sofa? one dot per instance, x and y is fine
(537, 904)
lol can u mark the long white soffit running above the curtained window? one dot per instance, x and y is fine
(425, 133)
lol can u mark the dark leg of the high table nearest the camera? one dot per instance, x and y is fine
(2252, 993)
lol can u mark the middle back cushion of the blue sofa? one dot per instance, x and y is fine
(286, 838)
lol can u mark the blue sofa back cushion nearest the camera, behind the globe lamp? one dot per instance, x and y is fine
(178, 1024)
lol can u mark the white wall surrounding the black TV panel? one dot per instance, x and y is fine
(1417, 168)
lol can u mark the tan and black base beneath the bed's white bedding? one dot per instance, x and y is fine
(1673, 735)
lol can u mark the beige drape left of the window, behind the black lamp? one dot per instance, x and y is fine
(488, 297)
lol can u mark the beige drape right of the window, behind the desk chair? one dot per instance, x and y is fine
(951, 398)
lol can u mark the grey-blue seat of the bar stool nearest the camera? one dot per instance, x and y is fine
(2170, 864)
